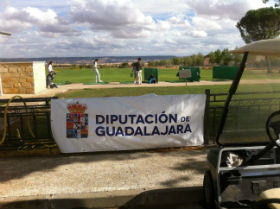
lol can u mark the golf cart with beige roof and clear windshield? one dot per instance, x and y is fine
(244, 170)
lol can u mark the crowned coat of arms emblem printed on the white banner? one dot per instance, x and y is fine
(76, 121)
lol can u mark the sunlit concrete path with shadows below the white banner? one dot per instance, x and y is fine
(98, 180)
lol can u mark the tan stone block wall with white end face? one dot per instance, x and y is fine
(19, 78)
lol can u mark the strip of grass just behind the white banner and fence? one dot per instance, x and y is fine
(172, 90)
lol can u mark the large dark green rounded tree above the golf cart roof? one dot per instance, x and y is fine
(263, 23)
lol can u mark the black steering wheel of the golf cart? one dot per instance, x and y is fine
(273, 128)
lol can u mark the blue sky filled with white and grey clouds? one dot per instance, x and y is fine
(77, 28)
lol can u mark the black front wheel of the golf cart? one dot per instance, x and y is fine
(208, 191)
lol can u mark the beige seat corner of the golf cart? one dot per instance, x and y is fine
(269, 199)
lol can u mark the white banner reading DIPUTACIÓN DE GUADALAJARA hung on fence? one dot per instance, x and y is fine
(127, 123)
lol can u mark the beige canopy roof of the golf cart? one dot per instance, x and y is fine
(263, 47)
